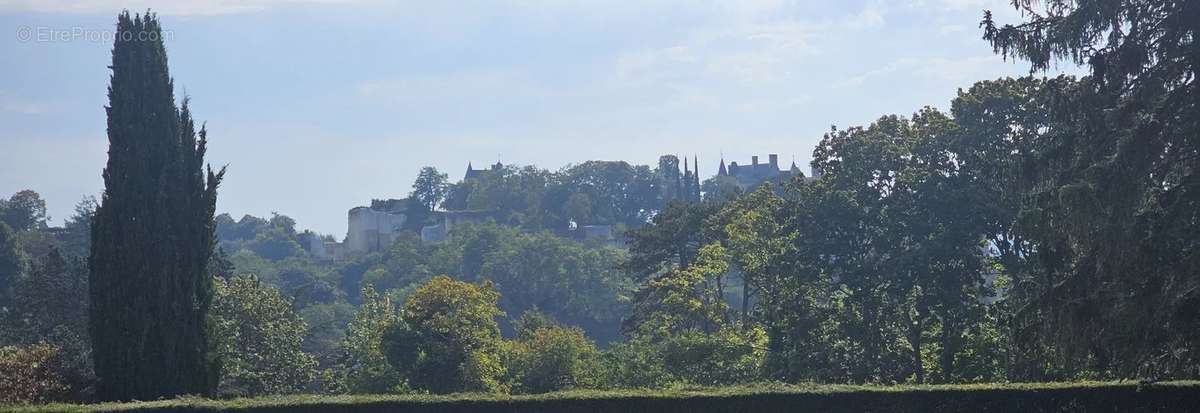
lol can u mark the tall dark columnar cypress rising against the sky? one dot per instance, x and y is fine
(153, 234)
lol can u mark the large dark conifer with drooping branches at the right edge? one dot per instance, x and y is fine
(1114, 194)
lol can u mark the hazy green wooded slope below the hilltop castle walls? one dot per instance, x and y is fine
(577, 283)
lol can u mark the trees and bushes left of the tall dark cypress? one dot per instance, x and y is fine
(45, 345)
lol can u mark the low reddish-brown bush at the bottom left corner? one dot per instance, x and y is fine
(33, 375)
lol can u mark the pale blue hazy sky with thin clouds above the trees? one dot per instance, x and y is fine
(320, 106)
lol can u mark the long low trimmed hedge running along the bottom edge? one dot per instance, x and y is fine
(1177, 397)
